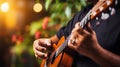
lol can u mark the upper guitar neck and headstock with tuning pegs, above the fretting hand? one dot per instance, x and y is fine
(99, 7)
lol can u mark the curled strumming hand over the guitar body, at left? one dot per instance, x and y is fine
(40, 47)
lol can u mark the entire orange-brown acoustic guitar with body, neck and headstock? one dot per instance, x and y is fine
(62, 58)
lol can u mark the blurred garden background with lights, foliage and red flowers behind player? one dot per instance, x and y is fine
(23, 21)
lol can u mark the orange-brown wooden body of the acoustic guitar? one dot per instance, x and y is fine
(62, 60)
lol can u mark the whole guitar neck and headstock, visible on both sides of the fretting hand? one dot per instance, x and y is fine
(99, 7)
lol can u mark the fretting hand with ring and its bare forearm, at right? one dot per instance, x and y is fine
(86, 44)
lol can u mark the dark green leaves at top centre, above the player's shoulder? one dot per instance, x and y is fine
(61, 11)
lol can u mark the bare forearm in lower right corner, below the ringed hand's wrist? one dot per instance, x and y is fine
(105, 58)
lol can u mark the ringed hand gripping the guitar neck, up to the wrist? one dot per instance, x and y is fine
(84, 41)
